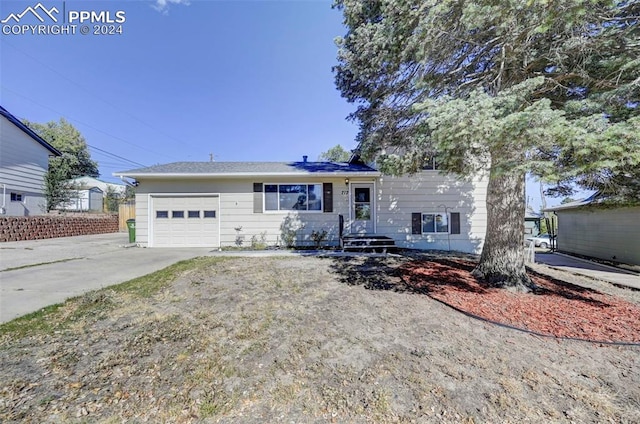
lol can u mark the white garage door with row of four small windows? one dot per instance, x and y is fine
(186, 221)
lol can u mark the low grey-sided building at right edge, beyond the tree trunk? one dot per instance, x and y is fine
(587, 227)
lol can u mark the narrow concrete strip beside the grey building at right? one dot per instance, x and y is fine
(590, 269)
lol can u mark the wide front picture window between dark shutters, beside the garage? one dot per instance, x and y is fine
(292, 197)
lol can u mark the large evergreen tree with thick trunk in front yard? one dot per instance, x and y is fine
(509, 87)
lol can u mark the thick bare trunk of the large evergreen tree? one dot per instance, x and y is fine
(502, 260)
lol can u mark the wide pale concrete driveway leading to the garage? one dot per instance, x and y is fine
(38, 273)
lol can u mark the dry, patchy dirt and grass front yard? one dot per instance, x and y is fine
(305, 340)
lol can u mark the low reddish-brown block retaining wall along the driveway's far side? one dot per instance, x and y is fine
(41, 227)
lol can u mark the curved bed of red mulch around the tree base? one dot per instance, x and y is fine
(559, 309)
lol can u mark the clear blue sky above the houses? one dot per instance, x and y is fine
(243, 80)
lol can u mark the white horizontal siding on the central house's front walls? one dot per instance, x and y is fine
(395, 200)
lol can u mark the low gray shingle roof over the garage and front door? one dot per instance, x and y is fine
(231, 168)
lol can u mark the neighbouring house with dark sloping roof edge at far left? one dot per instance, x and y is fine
(24, 160)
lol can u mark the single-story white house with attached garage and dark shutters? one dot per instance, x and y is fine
(222, 204)
